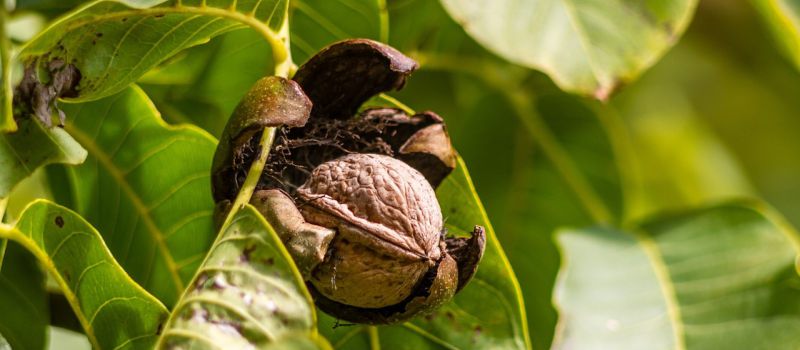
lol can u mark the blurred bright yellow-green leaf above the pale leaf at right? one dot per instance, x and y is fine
(679, 162)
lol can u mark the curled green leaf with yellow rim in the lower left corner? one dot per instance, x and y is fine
(113, 310)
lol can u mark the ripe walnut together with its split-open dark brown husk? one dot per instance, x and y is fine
(352, 194)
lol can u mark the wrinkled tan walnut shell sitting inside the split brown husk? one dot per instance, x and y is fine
(389, 228)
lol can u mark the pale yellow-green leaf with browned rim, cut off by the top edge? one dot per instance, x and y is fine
(588, 47)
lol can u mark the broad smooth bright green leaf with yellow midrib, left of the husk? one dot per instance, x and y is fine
(145, 186)
